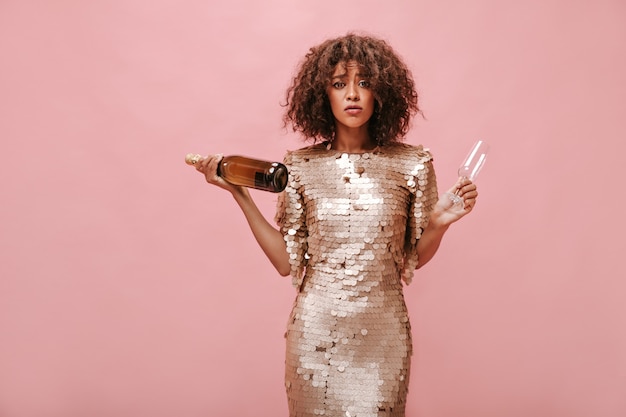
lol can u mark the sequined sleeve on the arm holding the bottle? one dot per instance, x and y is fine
(291, 220)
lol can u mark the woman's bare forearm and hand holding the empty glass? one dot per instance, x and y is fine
(443, 215)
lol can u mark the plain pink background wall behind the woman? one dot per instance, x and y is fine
(131, 288)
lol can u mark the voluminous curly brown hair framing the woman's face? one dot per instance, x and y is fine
(307, 106)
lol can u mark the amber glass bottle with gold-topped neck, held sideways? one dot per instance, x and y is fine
(249, 172)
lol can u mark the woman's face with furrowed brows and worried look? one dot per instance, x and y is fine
(350, 96)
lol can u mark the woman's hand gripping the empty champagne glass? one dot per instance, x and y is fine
(446, 212)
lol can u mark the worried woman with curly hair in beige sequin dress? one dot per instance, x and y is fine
(360, 213)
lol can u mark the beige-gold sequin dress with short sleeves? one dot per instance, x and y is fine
(351, 223)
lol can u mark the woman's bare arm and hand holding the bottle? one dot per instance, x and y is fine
(269, 238)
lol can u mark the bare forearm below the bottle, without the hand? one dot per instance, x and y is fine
(269, 238)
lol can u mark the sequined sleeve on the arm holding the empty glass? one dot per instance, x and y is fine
(423, 187)
